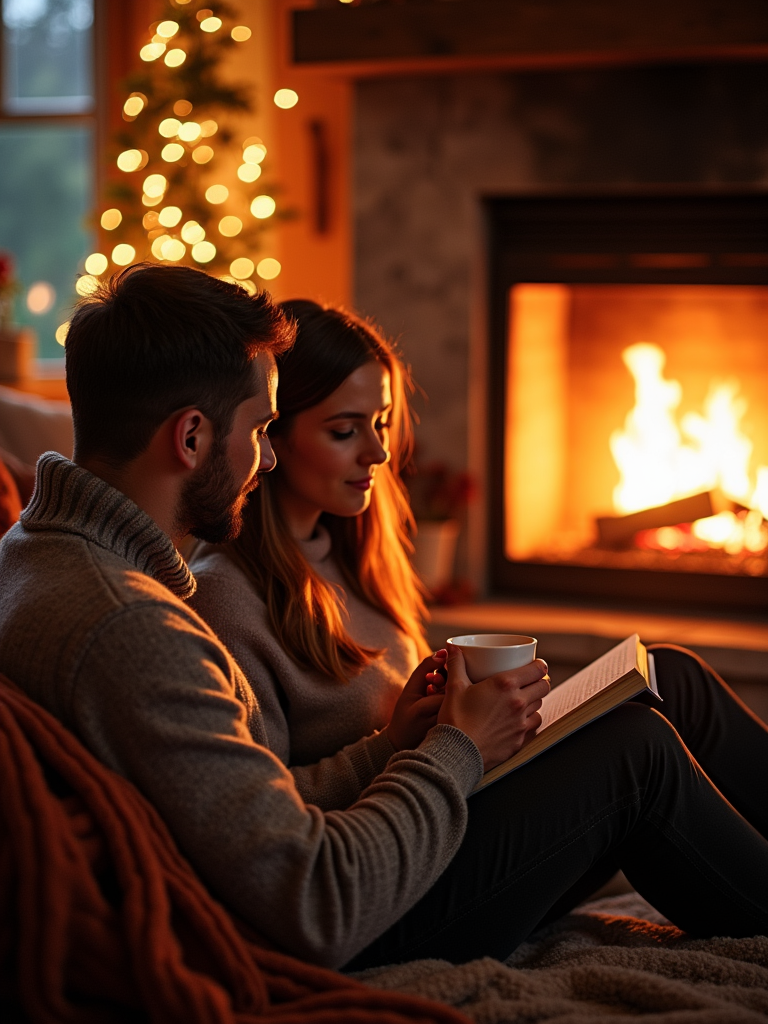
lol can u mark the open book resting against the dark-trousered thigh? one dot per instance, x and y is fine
(621, 674)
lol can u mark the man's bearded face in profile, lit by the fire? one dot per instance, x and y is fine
(214, 498)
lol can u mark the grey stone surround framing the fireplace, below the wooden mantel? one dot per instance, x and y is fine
(428, 151)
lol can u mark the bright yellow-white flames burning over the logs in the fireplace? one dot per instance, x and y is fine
(662, 457)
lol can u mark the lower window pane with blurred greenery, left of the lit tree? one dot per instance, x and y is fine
(47, 192)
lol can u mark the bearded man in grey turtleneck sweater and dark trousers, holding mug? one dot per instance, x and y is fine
(173, 381)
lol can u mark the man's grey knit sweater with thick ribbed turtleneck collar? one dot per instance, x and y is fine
(95, 627)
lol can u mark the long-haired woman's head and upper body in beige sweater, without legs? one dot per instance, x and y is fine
(317, 600)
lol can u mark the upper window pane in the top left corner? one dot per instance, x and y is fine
(48, 57)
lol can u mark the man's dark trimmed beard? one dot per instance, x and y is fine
(211, 503)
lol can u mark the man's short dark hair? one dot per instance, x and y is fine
(155, 339)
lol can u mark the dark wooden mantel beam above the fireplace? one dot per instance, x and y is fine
(443, 34)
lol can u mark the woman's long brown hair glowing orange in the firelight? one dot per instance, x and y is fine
(371, 549)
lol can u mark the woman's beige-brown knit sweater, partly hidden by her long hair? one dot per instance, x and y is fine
(327, 732)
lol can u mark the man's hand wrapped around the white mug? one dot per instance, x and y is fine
(498, 713)
